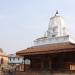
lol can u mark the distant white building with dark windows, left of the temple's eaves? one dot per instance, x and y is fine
(16, 62)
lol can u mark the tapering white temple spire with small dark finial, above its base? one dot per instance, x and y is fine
(57, 26)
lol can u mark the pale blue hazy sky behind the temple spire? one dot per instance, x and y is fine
(22, 21)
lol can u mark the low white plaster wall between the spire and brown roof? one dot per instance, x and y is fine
(52, 40)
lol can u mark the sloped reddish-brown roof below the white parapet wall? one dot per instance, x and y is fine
(49, 48)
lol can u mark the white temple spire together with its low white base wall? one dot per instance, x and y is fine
(57, 32)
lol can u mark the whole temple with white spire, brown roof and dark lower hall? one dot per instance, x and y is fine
(55, 52)
